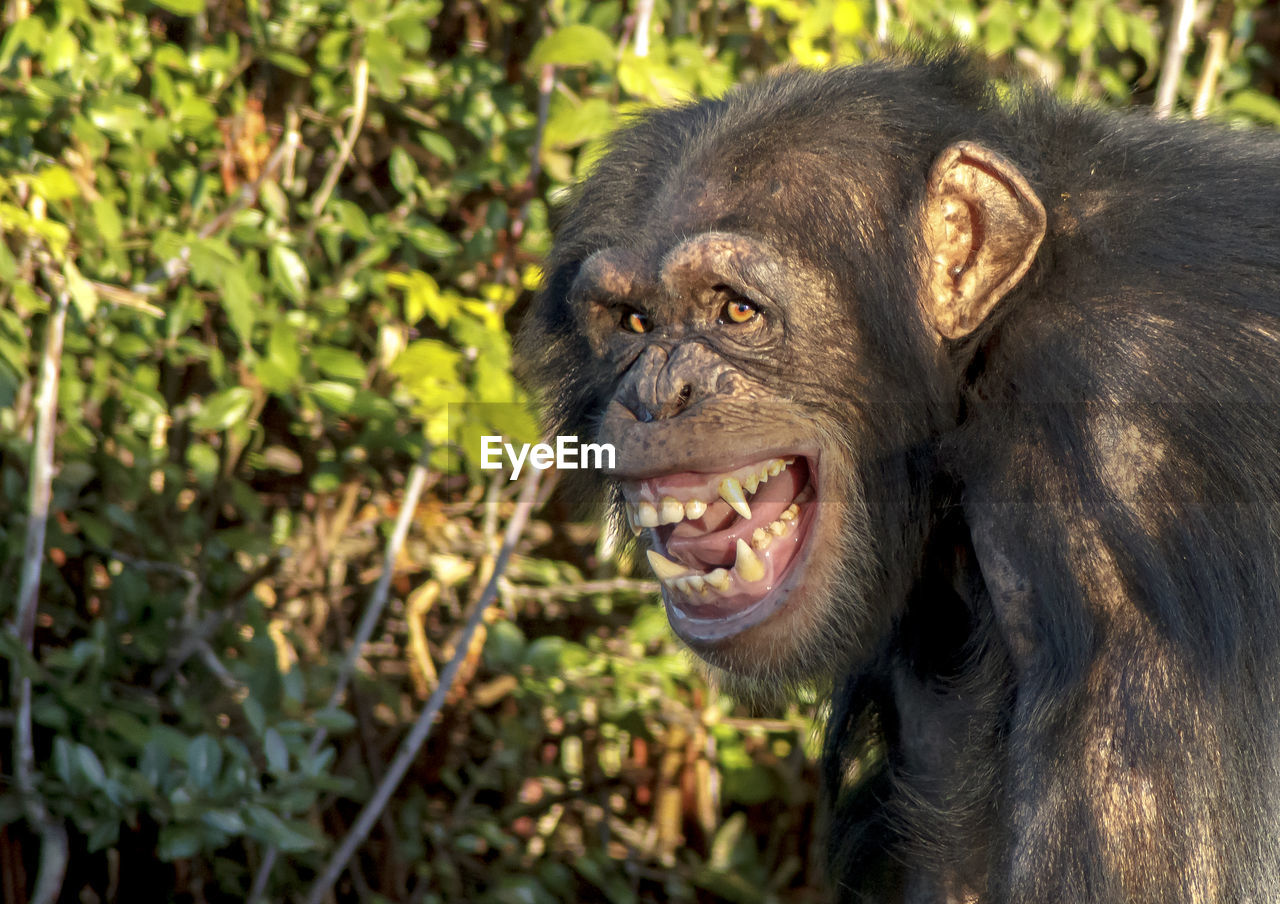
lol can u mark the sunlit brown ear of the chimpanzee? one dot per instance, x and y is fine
(982, 229)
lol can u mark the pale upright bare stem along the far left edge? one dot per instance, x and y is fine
(53, 835)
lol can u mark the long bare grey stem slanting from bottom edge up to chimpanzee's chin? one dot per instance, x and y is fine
(422, 729)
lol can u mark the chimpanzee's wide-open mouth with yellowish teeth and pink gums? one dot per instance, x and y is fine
(725, 545)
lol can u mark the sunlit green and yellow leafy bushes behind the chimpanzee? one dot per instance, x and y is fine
(282, 246)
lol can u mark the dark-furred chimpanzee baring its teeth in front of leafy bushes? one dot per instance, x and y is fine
(964, 403)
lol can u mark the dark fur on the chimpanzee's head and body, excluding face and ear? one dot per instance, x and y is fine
(1077, 692)
